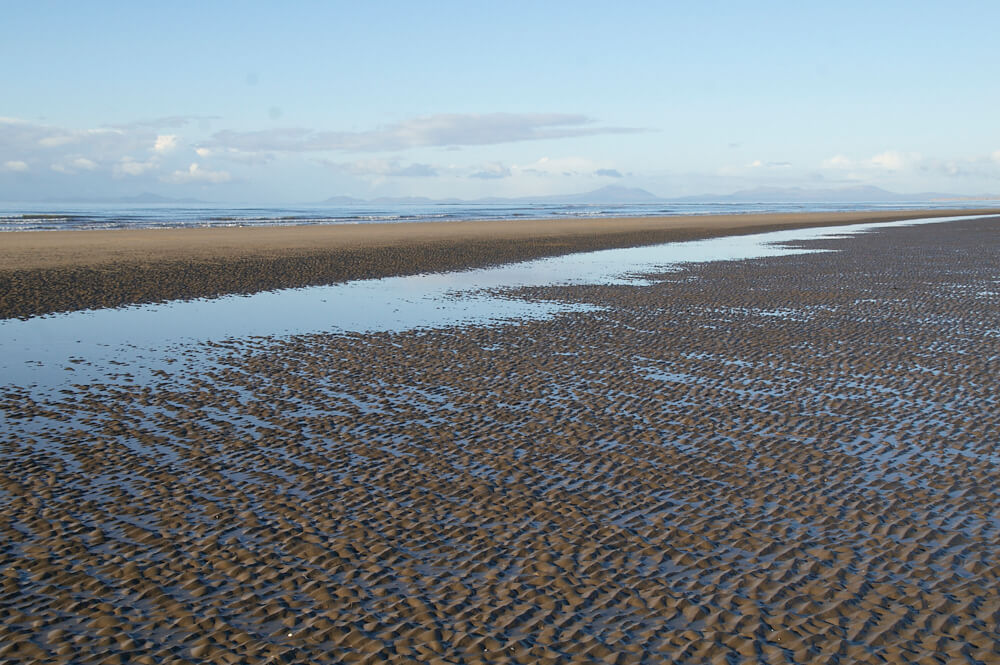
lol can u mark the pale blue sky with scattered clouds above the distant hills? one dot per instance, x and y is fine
(254, 102)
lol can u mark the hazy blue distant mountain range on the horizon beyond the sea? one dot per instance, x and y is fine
(615, 194)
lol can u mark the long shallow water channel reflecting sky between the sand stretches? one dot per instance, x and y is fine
(126, 344)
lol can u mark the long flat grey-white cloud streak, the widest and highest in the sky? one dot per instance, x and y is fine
(440, 130)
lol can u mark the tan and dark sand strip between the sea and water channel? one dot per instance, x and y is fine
(53, 271)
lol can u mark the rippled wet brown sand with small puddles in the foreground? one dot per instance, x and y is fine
(782, 460)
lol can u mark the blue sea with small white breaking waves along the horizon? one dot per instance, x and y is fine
(48, 217)
